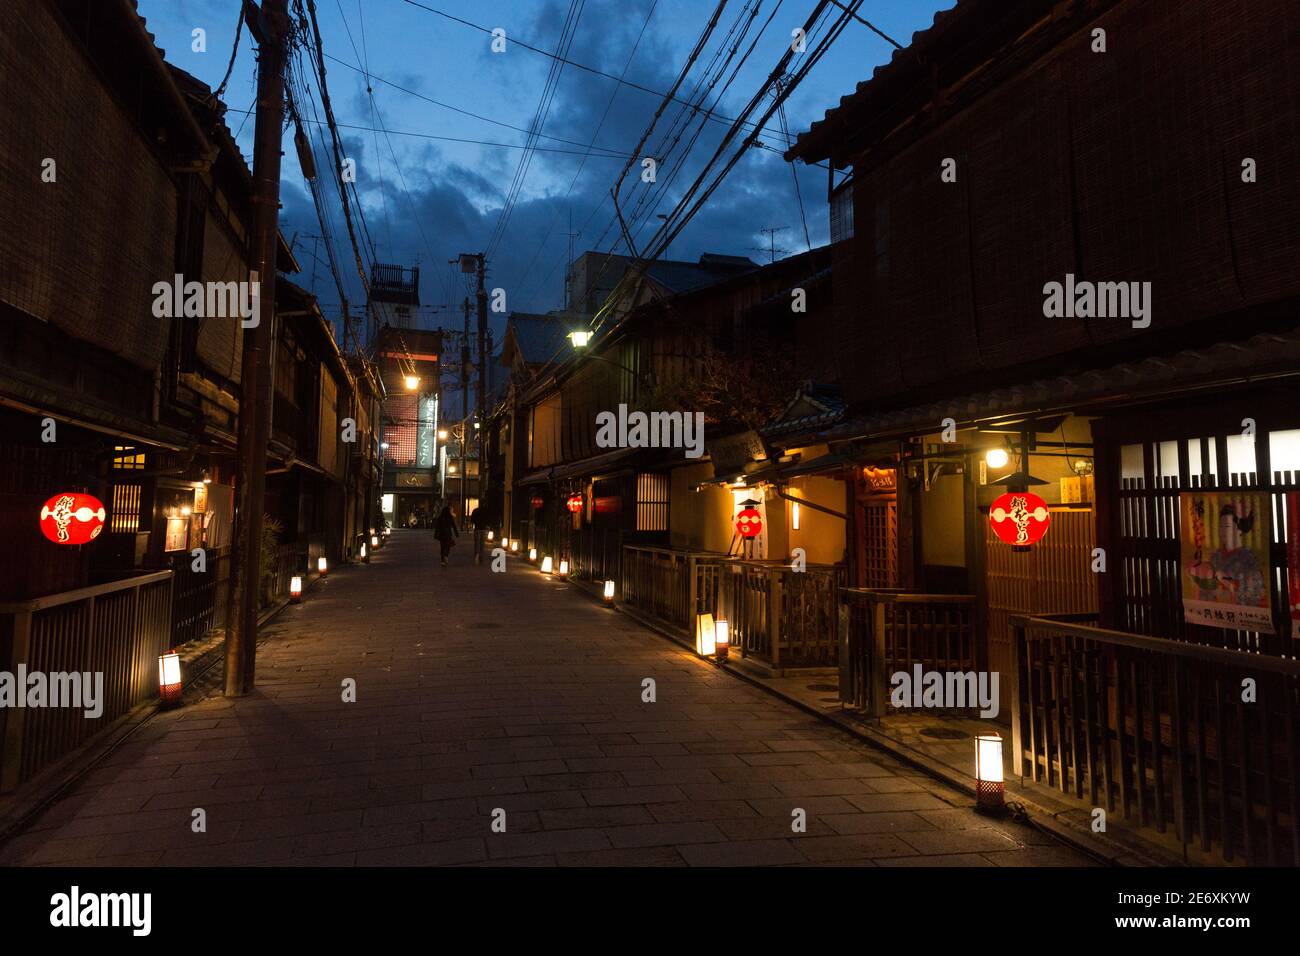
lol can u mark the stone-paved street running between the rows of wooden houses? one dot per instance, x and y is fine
(478, 693)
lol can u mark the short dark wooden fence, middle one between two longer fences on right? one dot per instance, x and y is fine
(889, 631)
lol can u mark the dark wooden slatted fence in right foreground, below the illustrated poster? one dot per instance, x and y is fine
(1175, 736)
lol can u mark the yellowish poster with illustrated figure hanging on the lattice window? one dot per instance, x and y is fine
(1225, 560)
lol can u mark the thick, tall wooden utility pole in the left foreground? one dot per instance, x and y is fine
(272, 28)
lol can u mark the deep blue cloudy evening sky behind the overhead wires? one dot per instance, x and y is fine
(426, 200)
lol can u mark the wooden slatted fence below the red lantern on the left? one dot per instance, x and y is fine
(118, 630)
